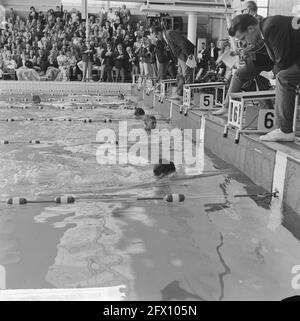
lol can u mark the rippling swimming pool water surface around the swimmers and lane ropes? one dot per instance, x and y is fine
(211, 247)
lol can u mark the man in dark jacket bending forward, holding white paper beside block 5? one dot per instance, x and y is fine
(182, 49)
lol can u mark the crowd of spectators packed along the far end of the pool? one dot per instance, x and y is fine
(54, 46)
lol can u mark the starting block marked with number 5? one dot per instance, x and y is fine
(206, 101)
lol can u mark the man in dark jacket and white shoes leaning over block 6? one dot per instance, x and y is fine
(281, 35)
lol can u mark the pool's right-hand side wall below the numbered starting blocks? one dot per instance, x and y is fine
(273, 166)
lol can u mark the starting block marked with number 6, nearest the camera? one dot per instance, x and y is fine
(250, 118)
